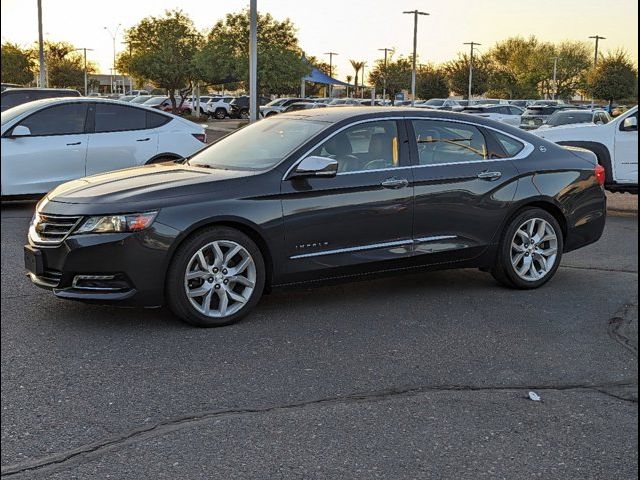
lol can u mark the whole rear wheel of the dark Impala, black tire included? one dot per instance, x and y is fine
(530, 250)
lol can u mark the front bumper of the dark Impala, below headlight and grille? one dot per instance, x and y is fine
(124, 268)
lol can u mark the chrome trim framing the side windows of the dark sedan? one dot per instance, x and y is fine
(527, 149)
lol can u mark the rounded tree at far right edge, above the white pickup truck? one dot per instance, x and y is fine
(614, 78)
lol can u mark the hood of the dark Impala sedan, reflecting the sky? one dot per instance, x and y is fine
(145, 184)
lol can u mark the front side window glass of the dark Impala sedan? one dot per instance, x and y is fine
(366, 146)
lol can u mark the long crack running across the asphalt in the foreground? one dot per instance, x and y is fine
(87, 451)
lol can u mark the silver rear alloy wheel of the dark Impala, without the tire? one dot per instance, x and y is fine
(534, 249)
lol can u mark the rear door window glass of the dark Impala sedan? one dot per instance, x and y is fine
(441, 142)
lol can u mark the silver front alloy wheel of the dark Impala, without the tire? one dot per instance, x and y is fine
(220, 278)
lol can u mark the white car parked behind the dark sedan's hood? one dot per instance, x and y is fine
(49, 142)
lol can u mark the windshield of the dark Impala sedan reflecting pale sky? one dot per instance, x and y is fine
(259, 146)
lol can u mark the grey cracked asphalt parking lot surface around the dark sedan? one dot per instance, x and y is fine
(417, 376)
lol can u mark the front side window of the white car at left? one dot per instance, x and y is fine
(67, 119)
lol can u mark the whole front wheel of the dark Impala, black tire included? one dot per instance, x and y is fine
(215, 278)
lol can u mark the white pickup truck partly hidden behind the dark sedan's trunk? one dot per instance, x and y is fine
(614, 143)
